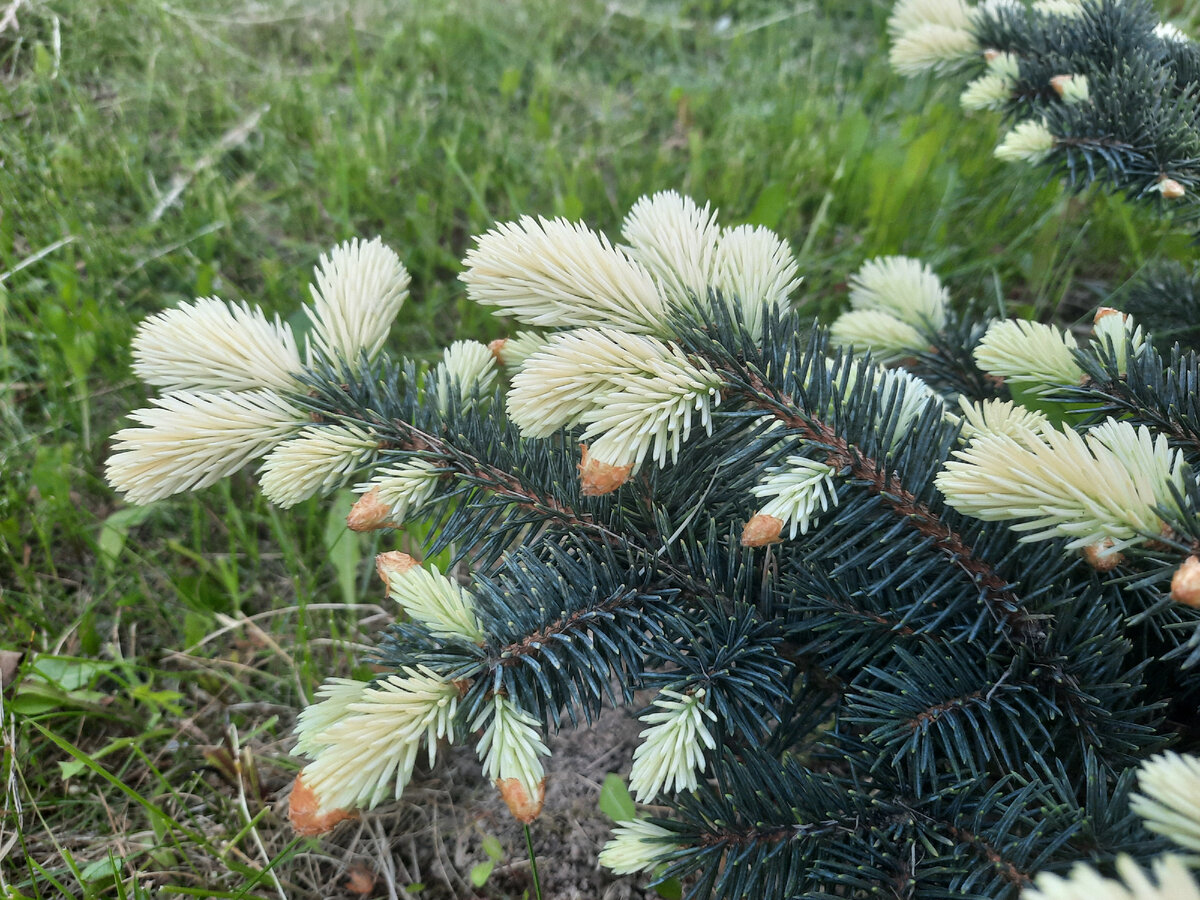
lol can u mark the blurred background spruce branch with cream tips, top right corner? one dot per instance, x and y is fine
(1101, 91)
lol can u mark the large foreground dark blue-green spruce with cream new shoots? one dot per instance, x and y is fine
(908, 605)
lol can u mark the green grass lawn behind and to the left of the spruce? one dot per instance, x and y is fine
(152, 153)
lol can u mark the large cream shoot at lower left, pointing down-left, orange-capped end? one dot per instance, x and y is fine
(368, 753)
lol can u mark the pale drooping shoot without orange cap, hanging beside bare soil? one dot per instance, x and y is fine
(671, 755)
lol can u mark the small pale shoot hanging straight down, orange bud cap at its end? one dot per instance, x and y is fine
(512, 749)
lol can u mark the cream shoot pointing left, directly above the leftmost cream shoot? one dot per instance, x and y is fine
(211, 345)
